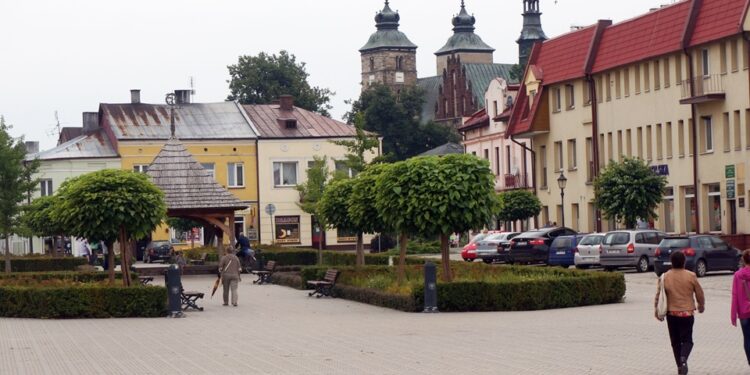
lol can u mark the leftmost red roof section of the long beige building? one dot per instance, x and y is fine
(563, 58)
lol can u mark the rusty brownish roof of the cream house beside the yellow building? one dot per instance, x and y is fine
(309, 125)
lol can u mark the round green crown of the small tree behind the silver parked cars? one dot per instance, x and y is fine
(629, 190)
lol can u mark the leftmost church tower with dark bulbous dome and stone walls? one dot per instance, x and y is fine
(389, 57)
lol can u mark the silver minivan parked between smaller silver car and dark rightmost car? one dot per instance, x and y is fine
(629, 248)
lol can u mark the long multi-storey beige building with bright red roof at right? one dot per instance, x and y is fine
(671, 87)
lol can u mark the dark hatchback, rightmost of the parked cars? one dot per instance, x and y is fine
(703, 253)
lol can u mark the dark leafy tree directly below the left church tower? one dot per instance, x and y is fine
(398, 120)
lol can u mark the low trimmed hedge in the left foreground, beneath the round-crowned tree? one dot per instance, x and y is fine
(82, 301)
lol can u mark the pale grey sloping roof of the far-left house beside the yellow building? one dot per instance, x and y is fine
(95, 145)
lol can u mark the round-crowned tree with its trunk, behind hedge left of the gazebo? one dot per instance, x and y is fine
(108, 205)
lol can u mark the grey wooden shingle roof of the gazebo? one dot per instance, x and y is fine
(186, 184)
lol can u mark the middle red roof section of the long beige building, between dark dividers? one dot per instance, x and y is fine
(652, 34)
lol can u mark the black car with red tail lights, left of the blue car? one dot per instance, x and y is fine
(533, 246)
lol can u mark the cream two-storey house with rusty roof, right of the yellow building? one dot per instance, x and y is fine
(290, 138)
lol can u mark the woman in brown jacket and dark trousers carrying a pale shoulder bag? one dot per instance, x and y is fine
(682, 291)
